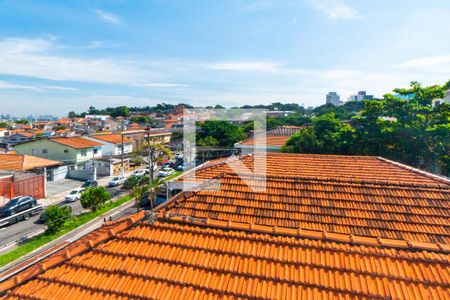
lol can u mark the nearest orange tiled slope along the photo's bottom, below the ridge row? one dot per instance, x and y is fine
(177, 260)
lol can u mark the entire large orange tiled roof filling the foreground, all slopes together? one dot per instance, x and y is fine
(327, 226)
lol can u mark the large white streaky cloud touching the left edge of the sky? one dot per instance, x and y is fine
(37, 58)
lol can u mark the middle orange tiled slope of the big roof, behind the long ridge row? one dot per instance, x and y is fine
(406, 212)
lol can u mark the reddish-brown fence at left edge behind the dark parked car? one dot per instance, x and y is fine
(31, 186)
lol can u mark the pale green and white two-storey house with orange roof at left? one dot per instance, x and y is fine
(69, 150)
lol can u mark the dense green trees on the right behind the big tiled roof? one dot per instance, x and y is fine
(415, 132)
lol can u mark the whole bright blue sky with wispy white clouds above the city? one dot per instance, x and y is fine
(59, 56)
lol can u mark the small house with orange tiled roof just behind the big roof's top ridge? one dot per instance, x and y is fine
(274, 140)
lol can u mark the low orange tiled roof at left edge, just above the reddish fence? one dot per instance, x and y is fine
(15, 162)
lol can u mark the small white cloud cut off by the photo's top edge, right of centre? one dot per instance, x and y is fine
(335, 9)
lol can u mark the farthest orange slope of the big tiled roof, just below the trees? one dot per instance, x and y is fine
(352, 168)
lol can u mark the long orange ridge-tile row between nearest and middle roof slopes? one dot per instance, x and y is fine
(314, 234)
